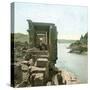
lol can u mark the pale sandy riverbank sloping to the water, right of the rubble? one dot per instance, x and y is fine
(67, 77)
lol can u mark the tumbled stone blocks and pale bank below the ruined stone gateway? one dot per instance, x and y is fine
(34, 70)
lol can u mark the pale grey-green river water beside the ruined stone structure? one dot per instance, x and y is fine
(75, 63)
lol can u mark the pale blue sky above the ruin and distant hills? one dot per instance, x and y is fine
(71, 21)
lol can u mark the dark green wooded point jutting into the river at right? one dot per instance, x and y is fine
(80, 46)
